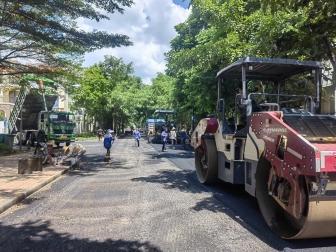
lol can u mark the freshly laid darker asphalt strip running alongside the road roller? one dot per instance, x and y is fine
(243, 206)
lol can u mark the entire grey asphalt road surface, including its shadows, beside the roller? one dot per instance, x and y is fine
(142, 200)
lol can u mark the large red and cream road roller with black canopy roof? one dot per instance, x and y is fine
(268, 134)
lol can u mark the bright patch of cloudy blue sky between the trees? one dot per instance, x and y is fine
(150, 26)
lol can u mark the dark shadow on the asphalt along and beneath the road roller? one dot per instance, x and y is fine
(234, 202)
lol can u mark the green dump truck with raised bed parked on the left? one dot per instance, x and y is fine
(37, 114)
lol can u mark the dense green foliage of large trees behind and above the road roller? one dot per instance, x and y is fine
(219, 32)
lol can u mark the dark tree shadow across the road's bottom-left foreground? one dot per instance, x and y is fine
(39, 236)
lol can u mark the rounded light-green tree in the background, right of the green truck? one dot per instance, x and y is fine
(111, 93)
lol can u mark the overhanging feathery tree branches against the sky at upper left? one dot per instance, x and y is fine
(43, 36)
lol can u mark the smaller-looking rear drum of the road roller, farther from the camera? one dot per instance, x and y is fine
(206, 161)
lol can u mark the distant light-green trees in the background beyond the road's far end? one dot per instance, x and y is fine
(116, 98)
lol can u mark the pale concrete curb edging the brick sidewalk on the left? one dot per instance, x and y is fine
(22, 196)
